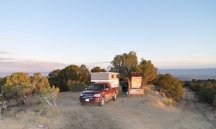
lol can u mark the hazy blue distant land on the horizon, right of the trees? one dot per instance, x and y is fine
(188, 74)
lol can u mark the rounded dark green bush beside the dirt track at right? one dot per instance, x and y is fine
(171, 85)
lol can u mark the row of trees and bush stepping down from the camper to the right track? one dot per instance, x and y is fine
(126, 63)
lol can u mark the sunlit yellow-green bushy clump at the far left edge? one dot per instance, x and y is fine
(20, 86)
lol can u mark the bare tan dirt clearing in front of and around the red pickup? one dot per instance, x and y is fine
(147, 112)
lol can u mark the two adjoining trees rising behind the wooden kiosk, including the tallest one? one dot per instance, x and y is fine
(126, 63)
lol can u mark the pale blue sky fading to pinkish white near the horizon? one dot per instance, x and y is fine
(43, 35)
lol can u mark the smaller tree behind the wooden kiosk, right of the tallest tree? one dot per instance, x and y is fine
(149, 72)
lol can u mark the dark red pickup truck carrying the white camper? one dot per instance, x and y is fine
(99, 93)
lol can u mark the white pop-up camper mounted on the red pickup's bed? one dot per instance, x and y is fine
(111, 77)
